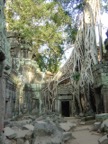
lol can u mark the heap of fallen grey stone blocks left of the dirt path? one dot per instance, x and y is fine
(46, 129)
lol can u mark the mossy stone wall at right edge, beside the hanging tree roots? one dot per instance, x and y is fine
(100, 72)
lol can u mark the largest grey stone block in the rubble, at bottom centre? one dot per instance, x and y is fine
(47, 133)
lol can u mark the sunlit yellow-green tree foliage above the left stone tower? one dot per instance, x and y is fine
(42, 23)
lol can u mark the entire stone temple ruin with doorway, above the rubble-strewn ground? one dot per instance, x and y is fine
(27, 89)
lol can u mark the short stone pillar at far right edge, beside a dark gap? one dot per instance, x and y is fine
(104, 92)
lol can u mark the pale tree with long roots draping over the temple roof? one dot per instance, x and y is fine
(84, 55)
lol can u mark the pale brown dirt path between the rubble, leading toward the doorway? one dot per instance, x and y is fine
(82, 134)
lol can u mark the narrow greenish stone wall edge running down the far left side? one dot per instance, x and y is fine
(5, 65)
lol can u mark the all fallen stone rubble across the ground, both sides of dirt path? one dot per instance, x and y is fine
(51, 128)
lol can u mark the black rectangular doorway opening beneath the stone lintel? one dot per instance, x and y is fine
(65, 108)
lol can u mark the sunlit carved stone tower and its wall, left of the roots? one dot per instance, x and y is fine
(27, 78)
